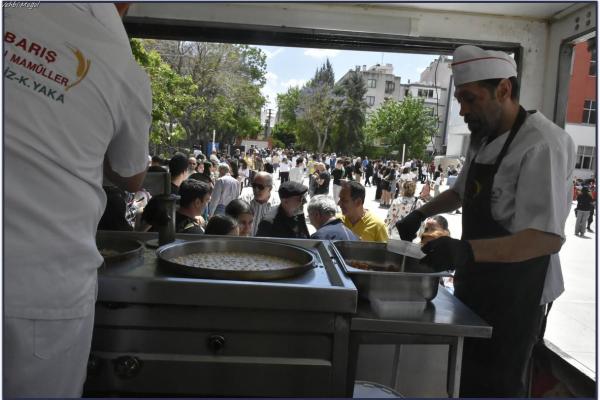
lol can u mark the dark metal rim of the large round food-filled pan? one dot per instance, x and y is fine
(303, 258)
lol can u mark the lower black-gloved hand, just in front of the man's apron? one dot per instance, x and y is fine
(446, 253)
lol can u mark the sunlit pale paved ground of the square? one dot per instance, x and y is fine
(572, 322)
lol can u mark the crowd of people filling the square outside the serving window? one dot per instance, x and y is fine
(262, 192)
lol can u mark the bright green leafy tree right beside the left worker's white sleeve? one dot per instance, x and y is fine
(171, 94)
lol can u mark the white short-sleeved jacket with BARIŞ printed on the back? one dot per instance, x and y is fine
(73, 92)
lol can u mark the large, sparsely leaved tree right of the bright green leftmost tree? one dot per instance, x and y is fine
(228, 79)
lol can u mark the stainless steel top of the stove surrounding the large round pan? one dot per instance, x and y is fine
(324, 288)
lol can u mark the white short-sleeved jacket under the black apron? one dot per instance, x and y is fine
(532, 188)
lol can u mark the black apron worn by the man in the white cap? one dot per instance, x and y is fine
(505, 295)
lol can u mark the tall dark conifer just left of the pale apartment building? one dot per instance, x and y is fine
(350, 126)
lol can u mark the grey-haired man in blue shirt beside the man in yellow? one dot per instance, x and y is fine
(321, 212)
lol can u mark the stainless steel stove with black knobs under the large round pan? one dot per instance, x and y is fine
(160, 335)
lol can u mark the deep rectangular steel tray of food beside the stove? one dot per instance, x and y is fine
(417, 282)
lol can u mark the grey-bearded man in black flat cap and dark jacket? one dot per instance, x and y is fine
(287, 220)
